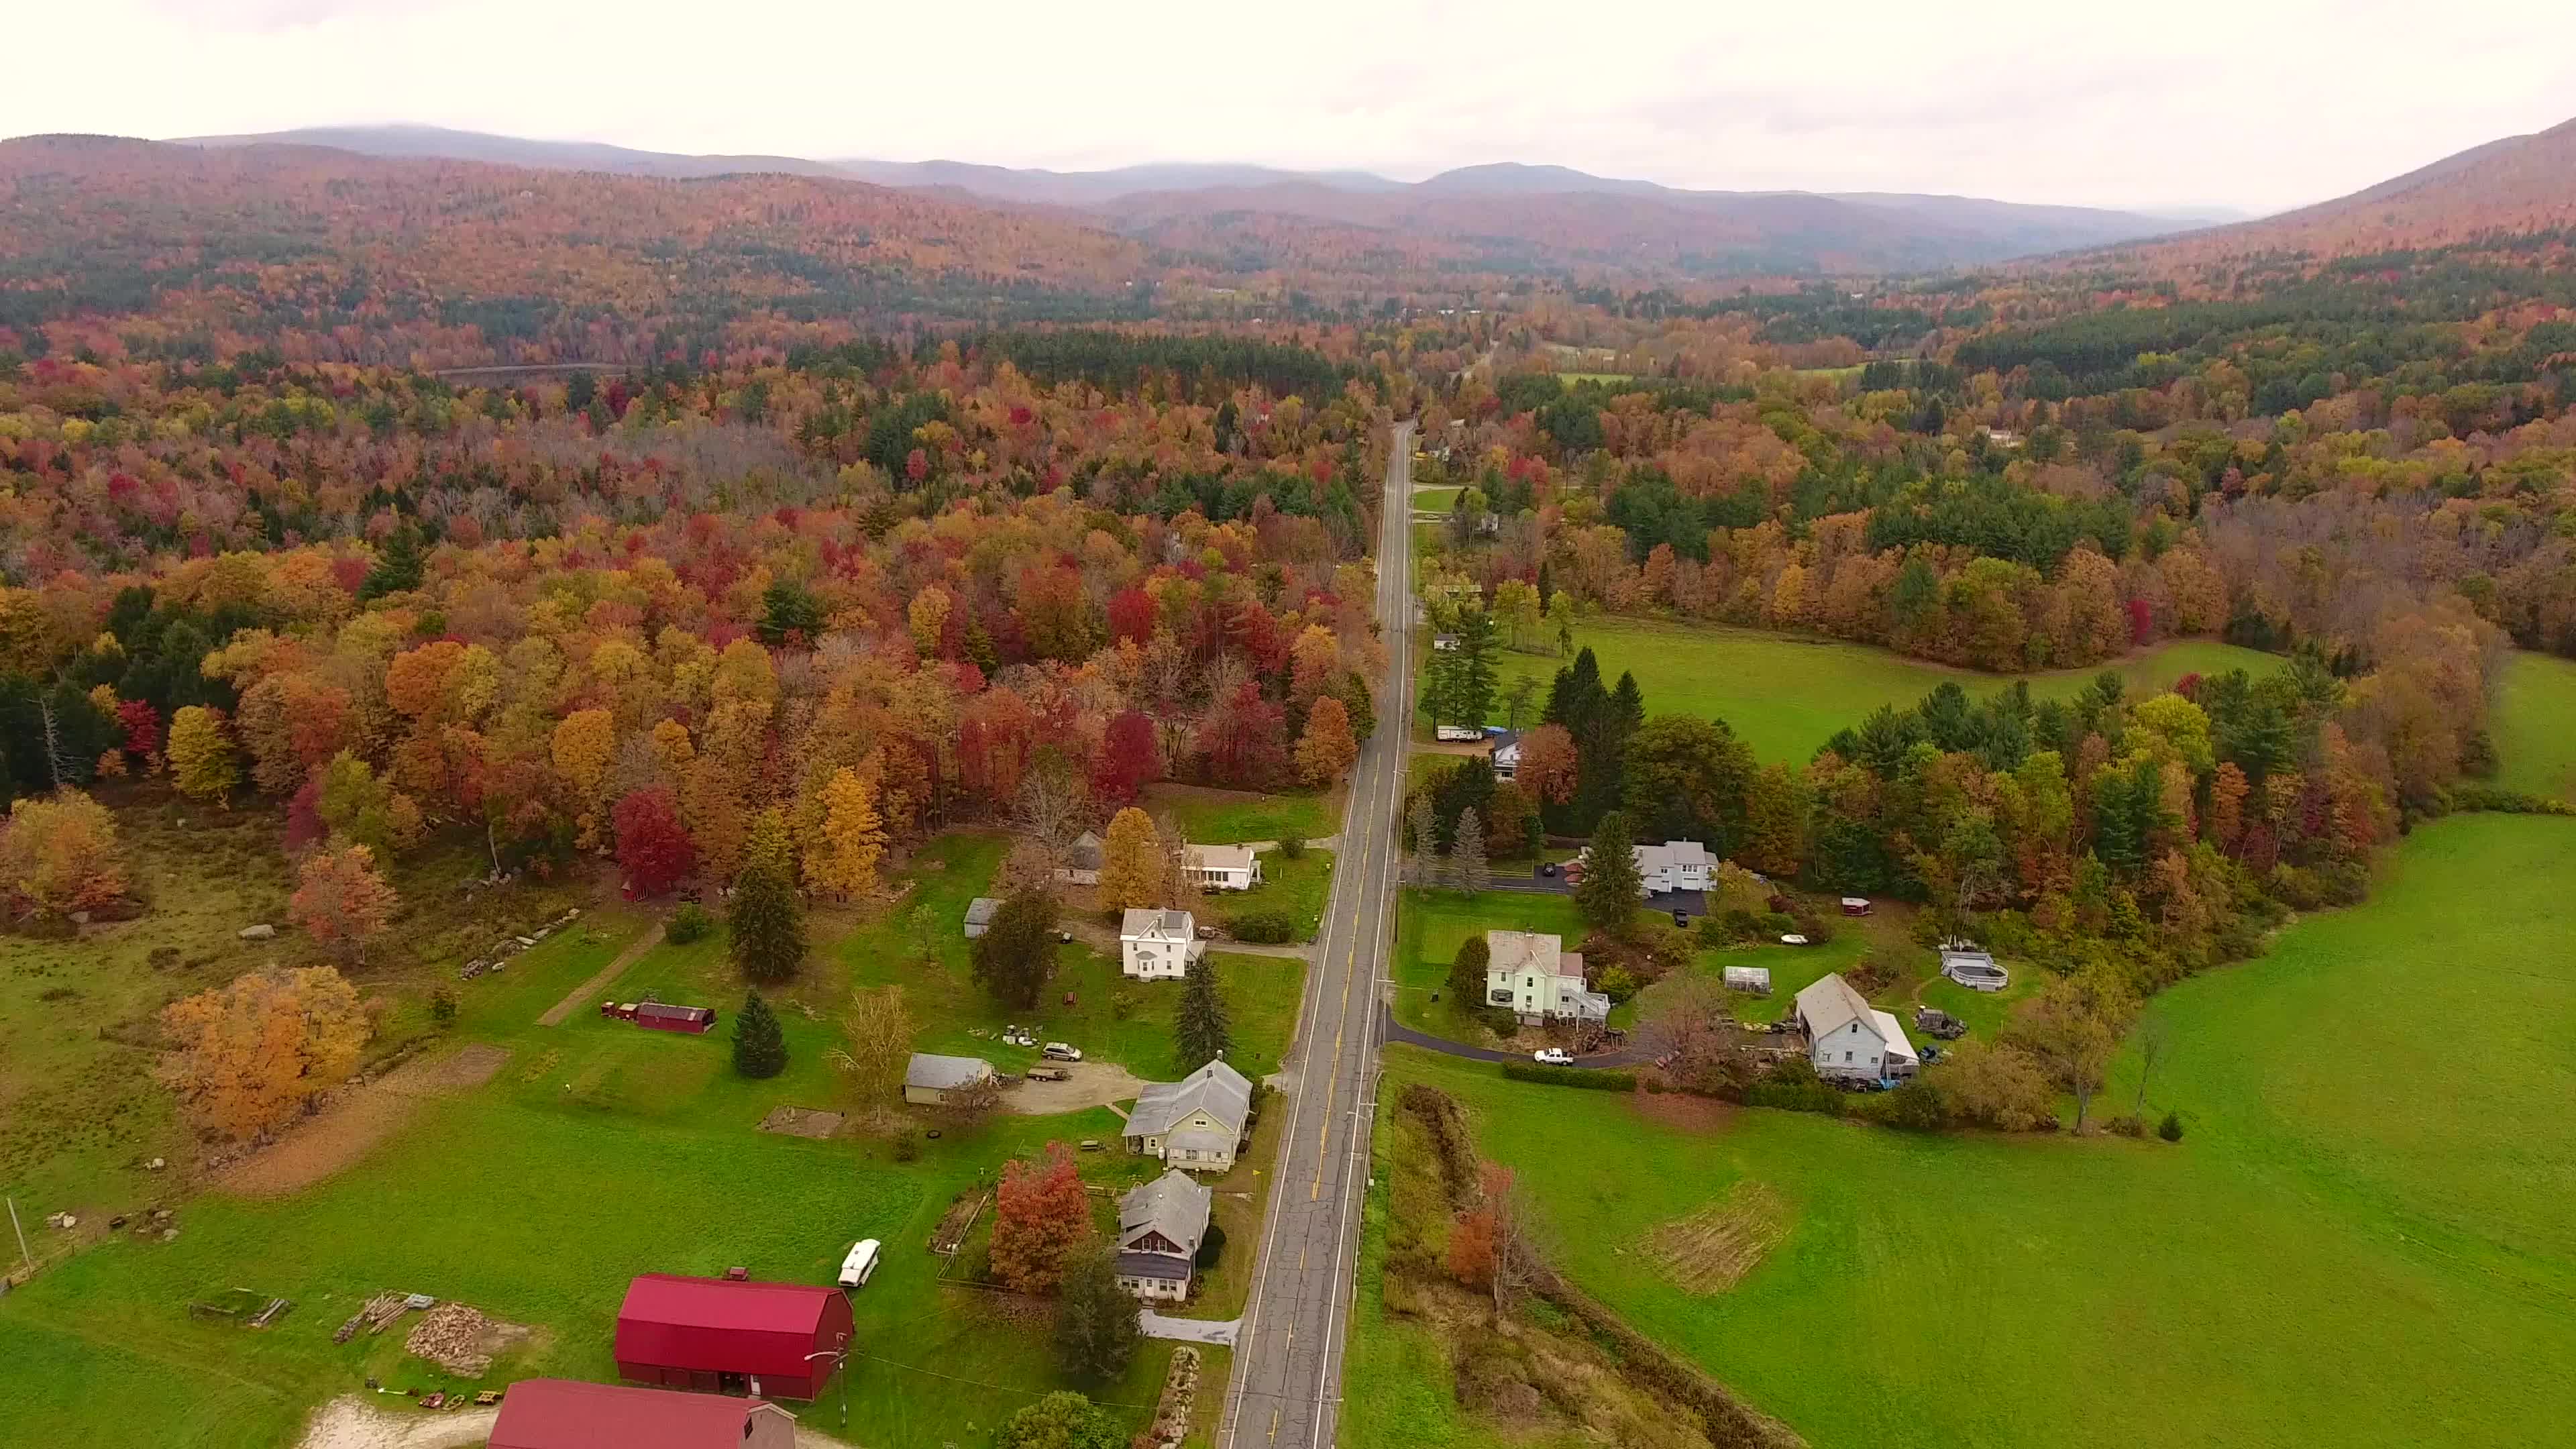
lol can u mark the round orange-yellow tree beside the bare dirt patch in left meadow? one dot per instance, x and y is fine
(249, 1056)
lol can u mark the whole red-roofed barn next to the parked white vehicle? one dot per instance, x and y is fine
(717, 1334)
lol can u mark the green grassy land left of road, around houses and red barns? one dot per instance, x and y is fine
(596, 1151)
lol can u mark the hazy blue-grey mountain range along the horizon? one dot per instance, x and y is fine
(1485, 218)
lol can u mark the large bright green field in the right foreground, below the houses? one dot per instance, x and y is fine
(2363, 1236)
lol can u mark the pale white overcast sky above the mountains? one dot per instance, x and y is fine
(2250, 104)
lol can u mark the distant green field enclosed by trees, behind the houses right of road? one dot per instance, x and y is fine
(1789, 695)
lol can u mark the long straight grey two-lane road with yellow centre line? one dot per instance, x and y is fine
(1289, 1352)
